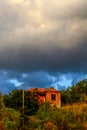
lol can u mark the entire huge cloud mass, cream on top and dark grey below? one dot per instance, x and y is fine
(40, 43)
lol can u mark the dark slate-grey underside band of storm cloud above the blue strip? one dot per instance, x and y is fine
(55, 59)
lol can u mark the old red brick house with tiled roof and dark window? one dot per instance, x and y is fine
(50, 95)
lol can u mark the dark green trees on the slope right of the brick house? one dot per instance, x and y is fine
(75, 94)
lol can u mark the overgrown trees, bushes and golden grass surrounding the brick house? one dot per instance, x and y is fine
(71, 116)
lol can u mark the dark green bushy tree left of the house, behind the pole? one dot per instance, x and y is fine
(14, 100)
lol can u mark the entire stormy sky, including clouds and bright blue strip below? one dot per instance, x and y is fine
(42, 43)
